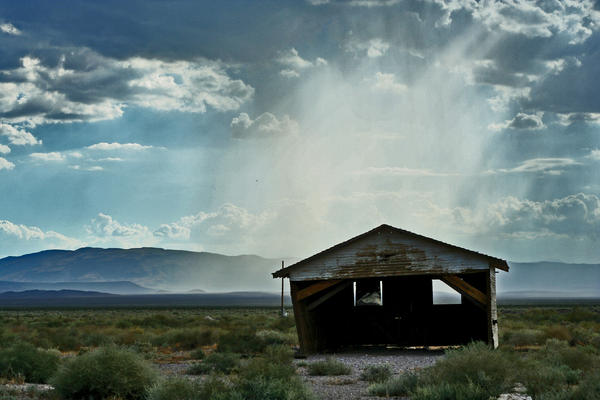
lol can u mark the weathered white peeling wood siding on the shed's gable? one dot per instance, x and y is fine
(389, 253)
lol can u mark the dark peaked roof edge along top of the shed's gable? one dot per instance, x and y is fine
(285, 272)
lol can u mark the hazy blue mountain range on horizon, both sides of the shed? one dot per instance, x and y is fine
(154, 270)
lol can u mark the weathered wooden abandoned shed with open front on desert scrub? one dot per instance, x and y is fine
(376, 289)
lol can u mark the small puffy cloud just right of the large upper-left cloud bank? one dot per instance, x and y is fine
(265, 125)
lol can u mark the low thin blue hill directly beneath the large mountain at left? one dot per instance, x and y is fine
(118, 287)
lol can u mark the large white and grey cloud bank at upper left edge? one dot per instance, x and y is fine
(86, 86)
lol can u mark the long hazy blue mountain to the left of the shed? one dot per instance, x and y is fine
(174, 270)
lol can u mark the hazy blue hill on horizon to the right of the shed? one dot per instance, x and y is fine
(549, 279)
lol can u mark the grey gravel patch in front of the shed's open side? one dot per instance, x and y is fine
(350, 387)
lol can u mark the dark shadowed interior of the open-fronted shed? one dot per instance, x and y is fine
(336, 318)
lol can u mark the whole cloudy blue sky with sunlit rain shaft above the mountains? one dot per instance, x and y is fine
(280, 128)
